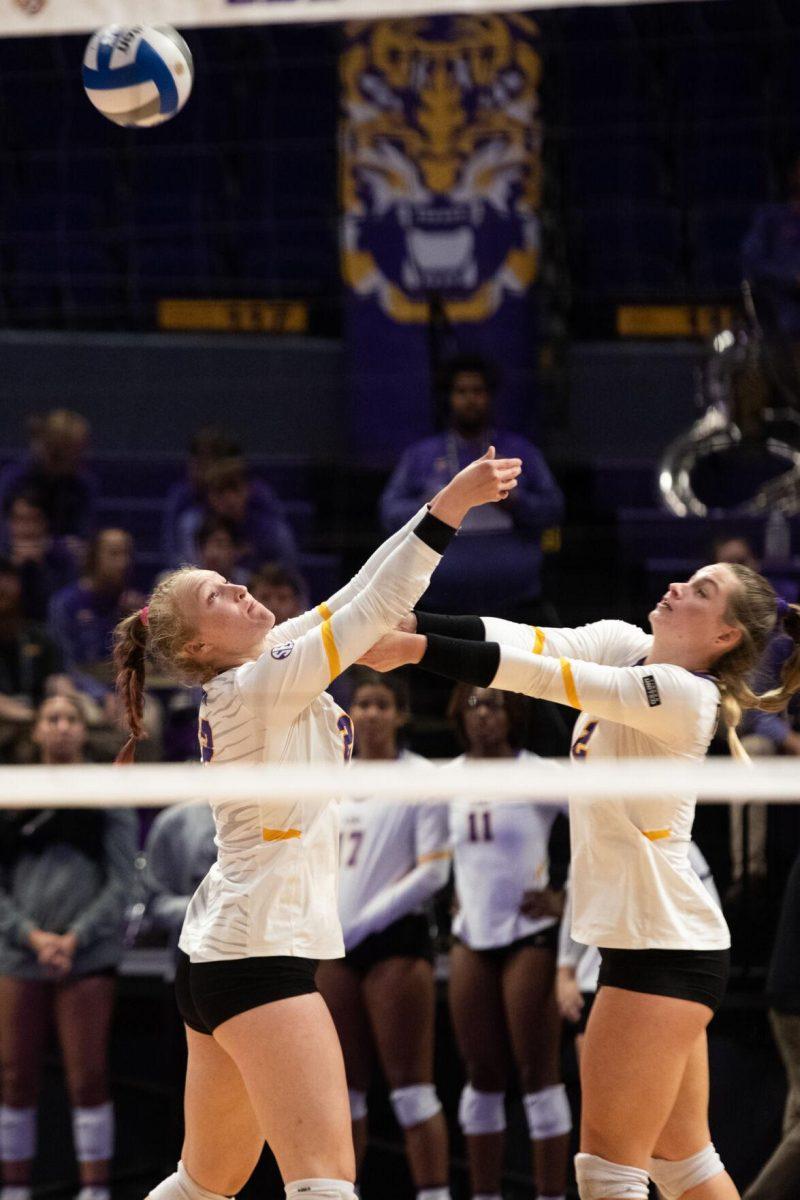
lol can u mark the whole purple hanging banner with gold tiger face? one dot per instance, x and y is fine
(441, 181)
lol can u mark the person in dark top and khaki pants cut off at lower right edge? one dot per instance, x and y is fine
(780, 1178)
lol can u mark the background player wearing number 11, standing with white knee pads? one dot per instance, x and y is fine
(503, 961)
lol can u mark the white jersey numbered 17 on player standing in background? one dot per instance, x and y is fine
(394, 859)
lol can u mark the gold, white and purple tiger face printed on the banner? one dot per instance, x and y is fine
(441, 164)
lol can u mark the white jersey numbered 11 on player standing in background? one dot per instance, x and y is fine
(500, 854)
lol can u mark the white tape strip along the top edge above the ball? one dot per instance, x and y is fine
(20, 19)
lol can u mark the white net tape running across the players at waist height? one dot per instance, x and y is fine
(719, 781)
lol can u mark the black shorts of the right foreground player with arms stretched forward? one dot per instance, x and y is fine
(701, 976)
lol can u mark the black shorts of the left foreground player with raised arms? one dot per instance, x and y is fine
(212, 993)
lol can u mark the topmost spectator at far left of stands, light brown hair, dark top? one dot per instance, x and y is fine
(55, 469)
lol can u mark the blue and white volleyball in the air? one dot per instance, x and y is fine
(139, 75)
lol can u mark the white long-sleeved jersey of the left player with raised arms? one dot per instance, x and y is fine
(274, 887)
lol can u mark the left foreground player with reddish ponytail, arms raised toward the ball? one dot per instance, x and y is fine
(264, 1061)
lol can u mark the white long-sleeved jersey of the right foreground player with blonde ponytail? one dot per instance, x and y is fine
(634, 887)
